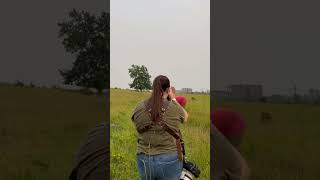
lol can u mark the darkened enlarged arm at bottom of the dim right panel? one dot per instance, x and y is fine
(226, 161)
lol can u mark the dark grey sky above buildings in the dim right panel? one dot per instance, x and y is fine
(275, 43)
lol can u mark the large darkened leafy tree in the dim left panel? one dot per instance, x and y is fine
(86, 36)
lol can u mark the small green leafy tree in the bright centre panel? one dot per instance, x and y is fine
(141, 78)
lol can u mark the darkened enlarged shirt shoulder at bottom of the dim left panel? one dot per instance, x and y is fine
(92, 159)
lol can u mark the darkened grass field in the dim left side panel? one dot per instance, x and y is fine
(41, 130)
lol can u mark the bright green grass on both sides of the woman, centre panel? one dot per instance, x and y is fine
(123, 133)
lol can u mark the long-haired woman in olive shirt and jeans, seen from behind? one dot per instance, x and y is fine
(157, 152)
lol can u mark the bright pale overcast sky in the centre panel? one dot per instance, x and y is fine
(168, 37)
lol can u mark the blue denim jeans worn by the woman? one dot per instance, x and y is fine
(159, 167)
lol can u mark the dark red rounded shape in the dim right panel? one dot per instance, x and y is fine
(230, 124)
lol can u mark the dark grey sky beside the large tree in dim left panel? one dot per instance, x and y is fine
(30, 49)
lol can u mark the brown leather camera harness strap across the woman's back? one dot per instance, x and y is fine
(164, 126)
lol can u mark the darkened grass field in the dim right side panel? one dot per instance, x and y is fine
(286, 147)
